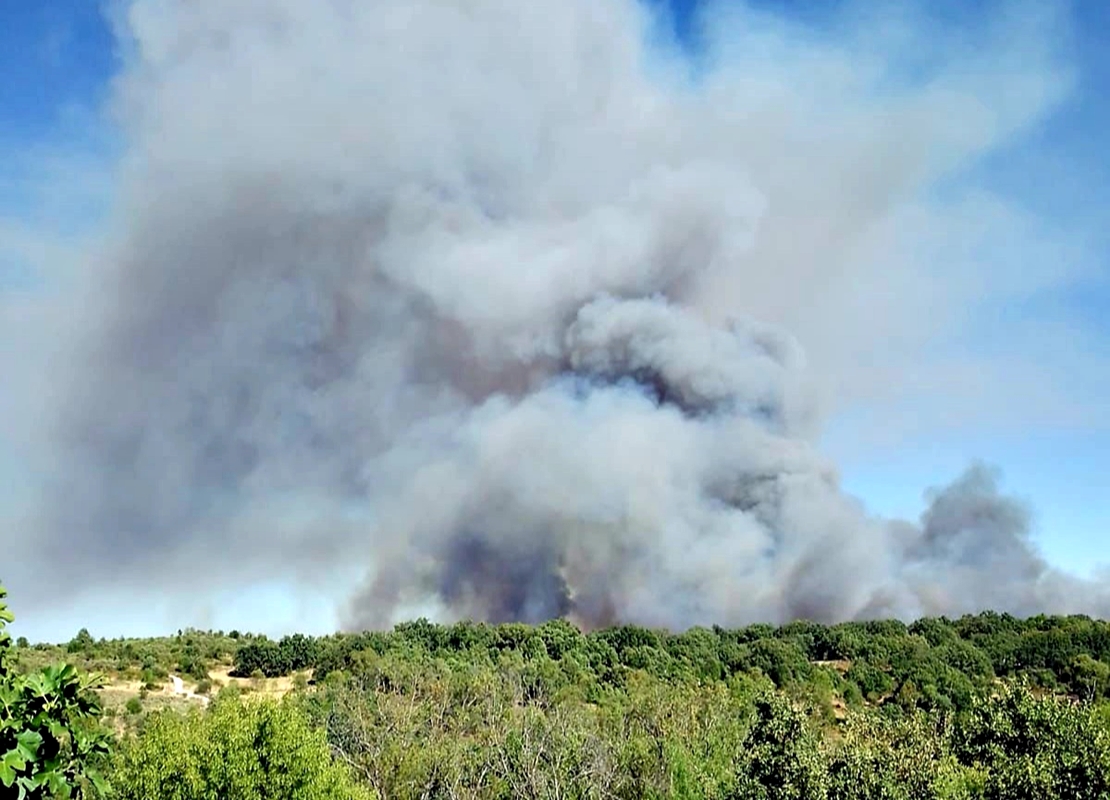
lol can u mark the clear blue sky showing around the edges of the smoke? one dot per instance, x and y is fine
(57, 63)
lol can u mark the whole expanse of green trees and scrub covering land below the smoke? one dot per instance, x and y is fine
(984, 707)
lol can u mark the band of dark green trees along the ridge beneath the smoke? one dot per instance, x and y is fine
(932, 664)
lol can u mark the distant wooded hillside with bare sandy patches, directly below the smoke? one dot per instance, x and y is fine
(932, 664)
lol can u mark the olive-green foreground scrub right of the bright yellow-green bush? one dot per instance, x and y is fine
(413, 726)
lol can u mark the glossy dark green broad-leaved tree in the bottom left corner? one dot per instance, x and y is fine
(51, 742)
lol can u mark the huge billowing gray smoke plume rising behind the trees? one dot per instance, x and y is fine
(508, 309)
